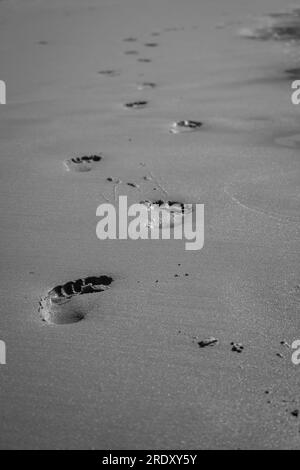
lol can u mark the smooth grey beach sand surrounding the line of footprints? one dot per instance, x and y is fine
(131, 374)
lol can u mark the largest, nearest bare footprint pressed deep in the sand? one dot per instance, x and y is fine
(59, 305)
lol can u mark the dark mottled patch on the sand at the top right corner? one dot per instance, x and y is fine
(276, 26)
